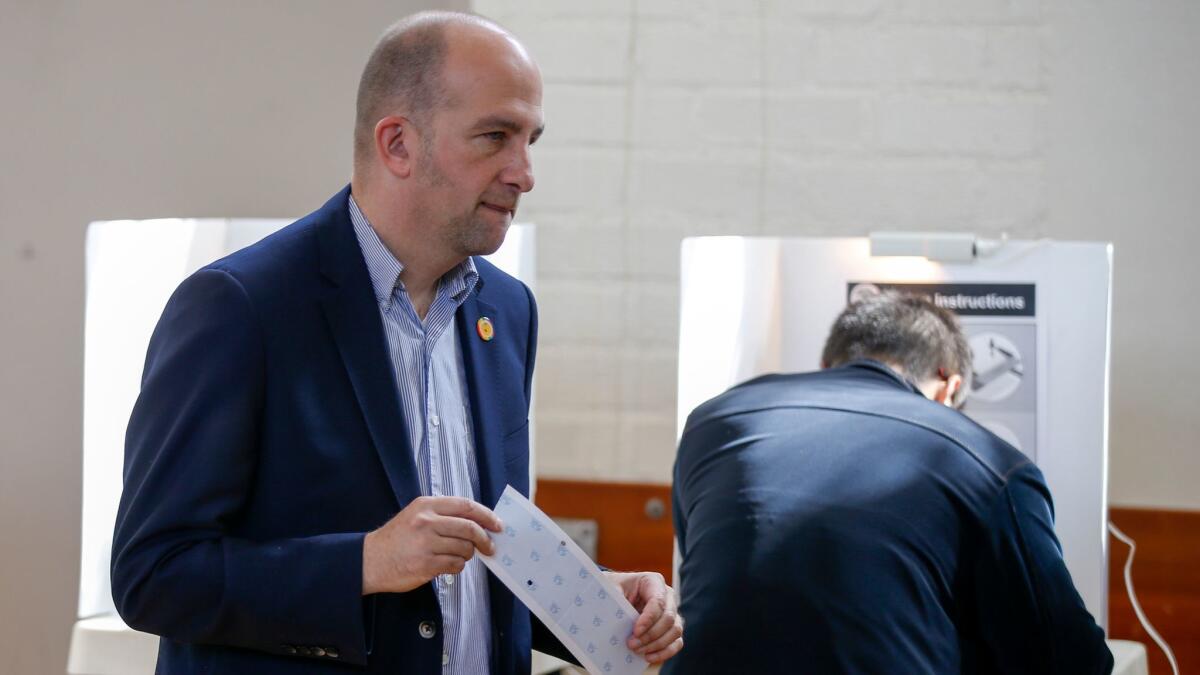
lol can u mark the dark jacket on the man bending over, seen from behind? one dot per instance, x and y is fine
(839, 522)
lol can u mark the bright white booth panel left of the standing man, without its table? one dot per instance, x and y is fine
(133, 268)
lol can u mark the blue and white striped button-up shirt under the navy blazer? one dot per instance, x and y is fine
(431, 381)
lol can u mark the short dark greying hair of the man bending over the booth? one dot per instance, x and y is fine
(905, 331)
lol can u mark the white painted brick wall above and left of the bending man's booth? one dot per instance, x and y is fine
(673, 118)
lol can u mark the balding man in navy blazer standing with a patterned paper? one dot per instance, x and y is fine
(325, 415)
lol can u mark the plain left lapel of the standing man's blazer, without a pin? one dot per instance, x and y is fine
(355, 320)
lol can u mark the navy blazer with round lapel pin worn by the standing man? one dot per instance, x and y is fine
(268, 440)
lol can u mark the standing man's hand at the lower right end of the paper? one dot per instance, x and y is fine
(658, 632)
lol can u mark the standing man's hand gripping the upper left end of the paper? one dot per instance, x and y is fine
(431, 536)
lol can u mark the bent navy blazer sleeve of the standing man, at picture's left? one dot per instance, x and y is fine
(190, 461)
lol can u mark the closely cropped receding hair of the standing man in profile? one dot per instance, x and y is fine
(404, 74)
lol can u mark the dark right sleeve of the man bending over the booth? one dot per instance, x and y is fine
(1030, 617)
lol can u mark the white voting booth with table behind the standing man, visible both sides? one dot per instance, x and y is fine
(133, 268)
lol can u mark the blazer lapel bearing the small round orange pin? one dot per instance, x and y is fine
(481, 361)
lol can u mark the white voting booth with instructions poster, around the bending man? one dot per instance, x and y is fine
(1036, 313)
